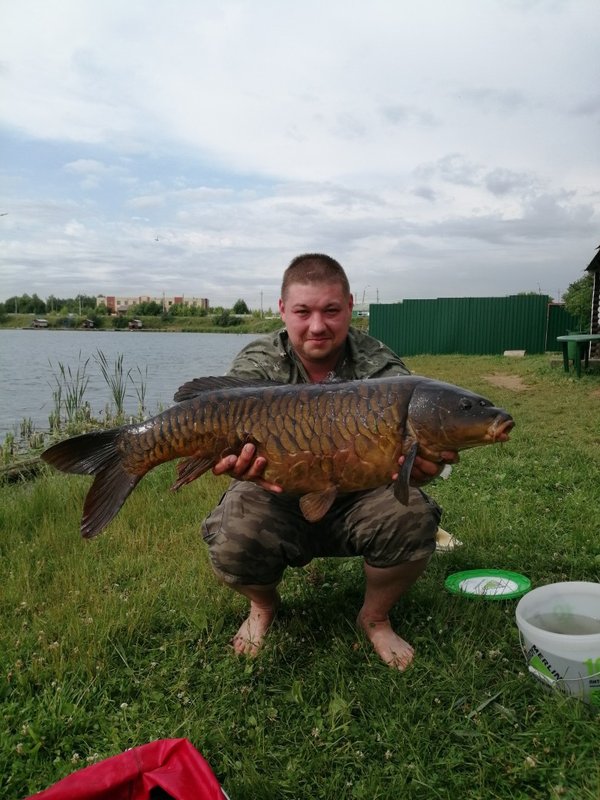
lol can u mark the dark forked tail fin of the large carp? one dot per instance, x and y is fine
(96, 454)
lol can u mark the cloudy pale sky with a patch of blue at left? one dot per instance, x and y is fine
(194, 147)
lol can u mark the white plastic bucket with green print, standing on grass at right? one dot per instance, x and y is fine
(559, 625)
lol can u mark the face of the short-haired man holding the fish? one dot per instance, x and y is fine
(317, 317)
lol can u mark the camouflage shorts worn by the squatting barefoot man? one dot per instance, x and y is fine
(253, 535)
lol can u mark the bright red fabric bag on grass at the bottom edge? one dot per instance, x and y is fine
(171, 765)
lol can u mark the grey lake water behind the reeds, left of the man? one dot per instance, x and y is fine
(30, 363)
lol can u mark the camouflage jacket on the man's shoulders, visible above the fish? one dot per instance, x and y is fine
(273, 358)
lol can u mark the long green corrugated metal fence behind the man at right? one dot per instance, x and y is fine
(467, 325)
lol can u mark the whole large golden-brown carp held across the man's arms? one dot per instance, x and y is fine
(318, 439)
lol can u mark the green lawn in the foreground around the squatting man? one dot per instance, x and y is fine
(115, 642)
